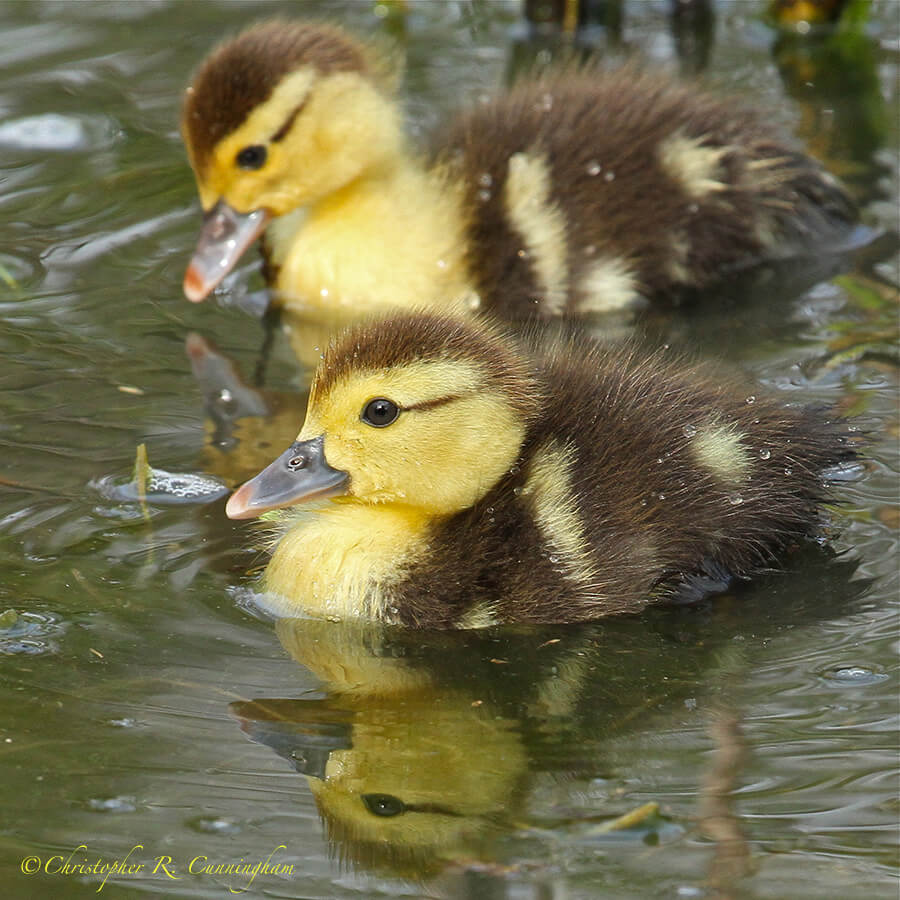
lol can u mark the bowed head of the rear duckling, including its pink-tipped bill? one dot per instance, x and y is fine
(274, 120)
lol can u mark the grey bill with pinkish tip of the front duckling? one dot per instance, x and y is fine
(299, 475)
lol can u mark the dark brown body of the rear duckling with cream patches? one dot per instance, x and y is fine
(586, 189)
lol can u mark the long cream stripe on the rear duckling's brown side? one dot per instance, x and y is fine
(540, 223)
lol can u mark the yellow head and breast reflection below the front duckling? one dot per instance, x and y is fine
(407, 771)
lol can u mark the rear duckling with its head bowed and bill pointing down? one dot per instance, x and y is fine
(578, 190)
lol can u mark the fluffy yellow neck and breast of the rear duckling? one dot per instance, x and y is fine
(394, 237)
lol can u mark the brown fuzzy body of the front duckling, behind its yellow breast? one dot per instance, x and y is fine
(640, 479)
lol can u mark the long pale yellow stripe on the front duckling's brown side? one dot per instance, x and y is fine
(550, 492)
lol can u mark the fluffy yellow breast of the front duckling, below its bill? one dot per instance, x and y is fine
(344, 559)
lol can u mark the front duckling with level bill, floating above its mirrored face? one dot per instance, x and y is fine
(451, 475)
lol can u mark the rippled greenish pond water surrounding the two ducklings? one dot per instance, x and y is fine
(146, 710)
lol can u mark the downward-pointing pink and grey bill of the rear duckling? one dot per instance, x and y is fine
(225, 235)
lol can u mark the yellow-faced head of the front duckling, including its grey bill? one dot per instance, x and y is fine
(420, 411)
